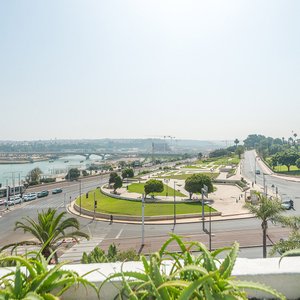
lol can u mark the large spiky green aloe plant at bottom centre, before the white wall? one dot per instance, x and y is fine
(184, 276)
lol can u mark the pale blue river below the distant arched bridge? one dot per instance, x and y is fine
(10, 173)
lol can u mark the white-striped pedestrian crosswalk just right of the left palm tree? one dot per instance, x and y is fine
(74, 254)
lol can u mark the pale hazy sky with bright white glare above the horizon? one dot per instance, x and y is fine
(189, 69)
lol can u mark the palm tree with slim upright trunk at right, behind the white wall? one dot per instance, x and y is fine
(266, 210)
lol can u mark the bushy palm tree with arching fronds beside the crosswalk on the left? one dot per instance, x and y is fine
(49, 230)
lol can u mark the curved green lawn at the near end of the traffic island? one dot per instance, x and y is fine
(111, 205)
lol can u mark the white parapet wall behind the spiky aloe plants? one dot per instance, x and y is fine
(285, 277)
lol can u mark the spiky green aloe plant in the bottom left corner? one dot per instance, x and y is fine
(32, 279)
